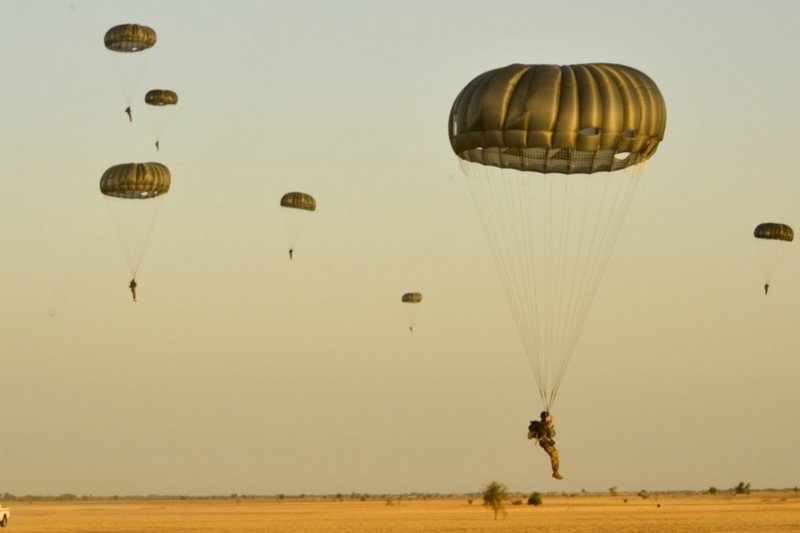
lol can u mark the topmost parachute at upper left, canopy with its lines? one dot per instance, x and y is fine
(130, 43)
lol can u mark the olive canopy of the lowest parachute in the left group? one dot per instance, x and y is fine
(136, 181)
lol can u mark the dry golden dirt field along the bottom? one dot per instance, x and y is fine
(760, 512)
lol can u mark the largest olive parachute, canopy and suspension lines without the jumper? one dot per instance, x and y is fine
(552, 156)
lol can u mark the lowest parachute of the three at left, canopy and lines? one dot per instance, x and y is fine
(134, 193)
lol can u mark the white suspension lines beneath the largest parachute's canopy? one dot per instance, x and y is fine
(551, 237)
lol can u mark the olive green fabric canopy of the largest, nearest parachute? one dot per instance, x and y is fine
(564, 119)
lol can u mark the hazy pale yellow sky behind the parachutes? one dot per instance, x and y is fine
(238, 371)
